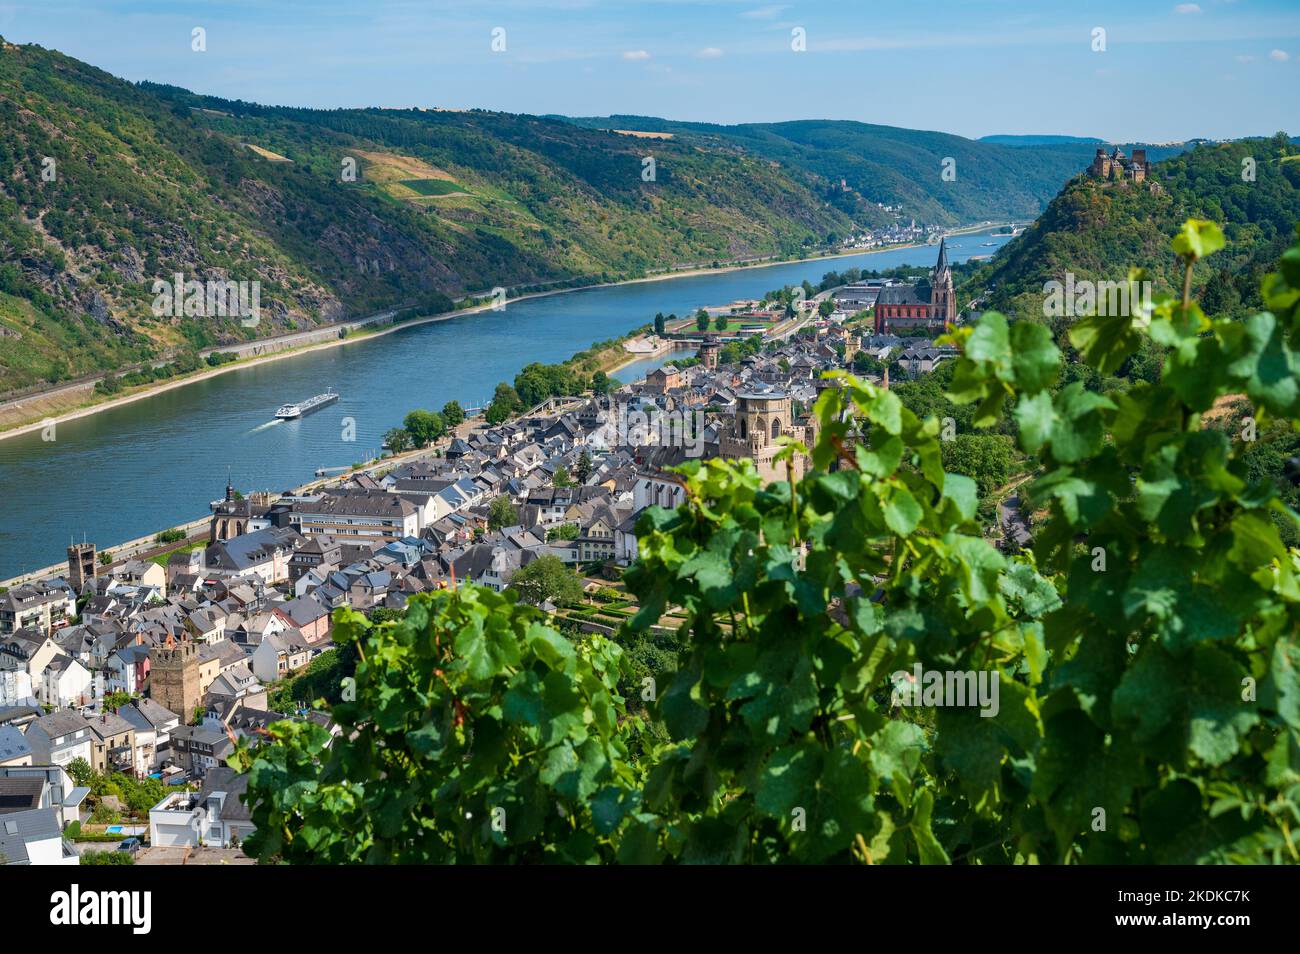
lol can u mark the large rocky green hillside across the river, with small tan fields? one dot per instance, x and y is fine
(110, 187)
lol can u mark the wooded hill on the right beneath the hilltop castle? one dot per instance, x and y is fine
(1097, 231)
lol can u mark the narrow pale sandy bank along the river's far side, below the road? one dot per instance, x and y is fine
(40, 413)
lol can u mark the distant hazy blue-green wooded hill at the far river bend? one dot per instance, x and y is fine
(900, 167)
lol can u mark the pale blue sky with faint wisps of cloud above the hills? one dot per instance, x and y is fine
(1171, 71)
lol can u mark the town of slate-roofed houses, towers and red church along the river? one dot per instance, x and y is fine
(154, 666)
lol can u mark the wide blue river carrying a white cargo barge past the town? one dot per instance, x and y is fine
(158, 462)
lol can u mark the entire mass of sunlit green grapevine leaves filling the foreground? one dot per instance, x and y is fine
(1146, 652)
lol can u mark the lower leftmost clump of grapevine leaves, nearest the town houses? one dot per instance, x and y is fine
(478, 734)
